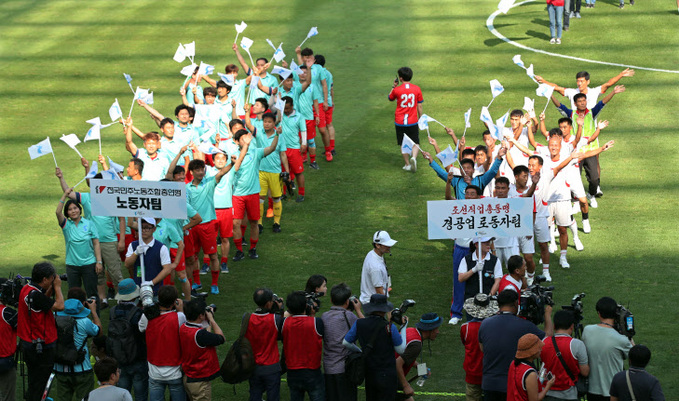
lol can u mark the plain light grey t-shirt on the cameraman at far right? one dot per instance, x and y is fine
(606, 349)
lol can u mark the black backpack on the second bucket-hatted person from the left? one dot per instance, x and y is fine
(121, 342)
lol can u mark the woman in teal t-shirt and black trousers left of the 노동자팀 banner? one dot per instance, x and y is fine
(83, 255)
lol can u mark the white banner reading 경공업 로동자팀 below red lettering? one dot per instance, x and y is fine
(489, 217)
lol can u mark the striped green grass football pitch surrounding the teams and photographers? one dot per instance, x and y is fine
(62, 64)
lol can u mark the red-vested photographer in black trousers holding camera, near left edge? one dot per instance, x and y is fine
(37, 328)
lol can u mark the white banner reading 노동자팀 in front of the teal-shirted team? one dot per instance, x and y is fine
(138, 198)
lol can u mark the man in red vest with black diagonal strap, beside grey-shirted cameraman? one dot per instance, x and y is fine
(562, 352)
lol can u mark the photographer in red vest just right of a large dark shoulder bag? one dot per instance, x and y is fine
(263, 332)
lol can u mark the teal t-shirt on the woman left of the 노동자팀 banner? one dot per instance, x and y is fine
(79, 248)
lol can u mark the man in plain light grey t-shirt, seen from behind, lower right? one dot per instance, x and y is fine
(606, 349)
